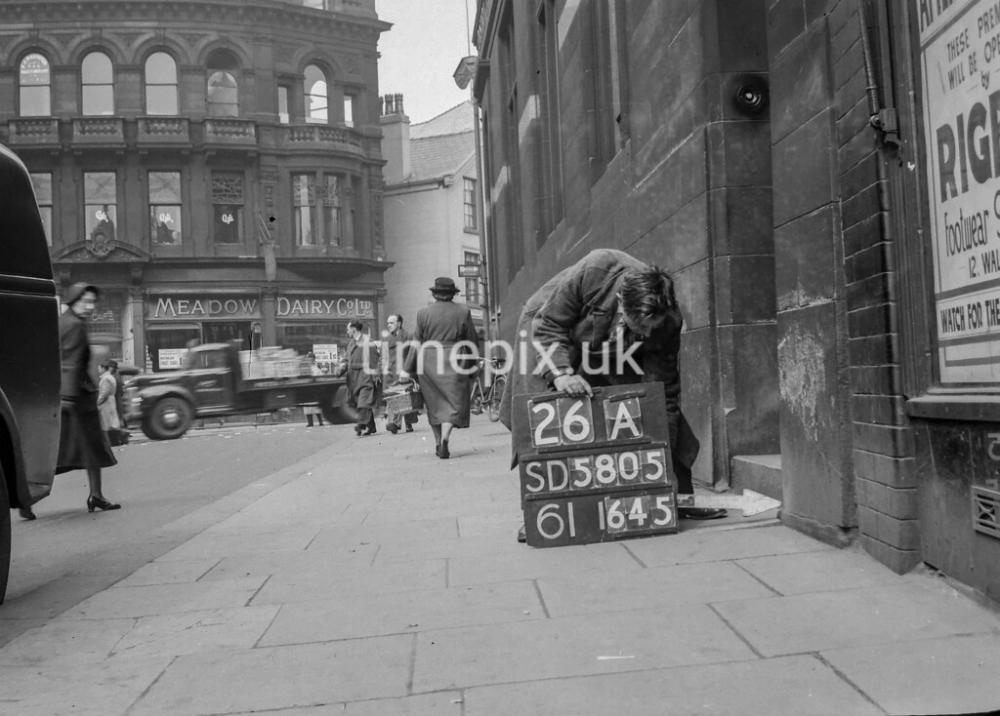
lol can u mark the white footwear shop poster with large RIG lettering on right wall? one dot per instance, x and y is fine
(960, 62)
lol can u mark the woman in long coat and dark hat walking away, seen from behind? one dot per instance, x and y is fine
(444, 362)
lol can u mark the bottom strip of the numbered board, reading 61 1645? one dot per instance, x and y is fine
(599, 517)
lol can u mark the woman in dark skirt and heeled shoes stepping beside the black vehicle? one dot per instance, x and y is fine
(83, 445)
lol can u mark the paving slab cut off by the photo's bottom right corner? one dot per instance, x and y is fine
(937, 676)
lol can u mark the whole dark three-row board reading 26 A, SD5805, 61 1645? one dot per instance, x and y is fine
(595, 469)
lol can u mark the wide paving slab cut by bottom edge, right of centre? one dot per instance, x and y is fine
(791, 686)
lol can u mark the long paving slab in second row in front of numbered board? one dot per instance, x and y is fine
(666, 587)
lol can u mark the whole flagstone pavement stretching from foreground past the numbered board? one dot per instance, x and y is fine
(373, 578)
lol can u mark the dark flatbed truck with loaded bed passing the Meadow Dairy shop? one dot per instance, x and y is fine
(217, 379)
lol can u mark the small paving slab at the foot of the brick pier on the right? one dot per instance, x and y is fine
(820, 571)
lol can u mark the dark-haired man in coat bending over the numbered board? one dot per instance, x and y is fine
(608, 304)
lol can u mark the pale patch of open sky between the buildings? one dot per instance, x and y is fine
(421, 51)
